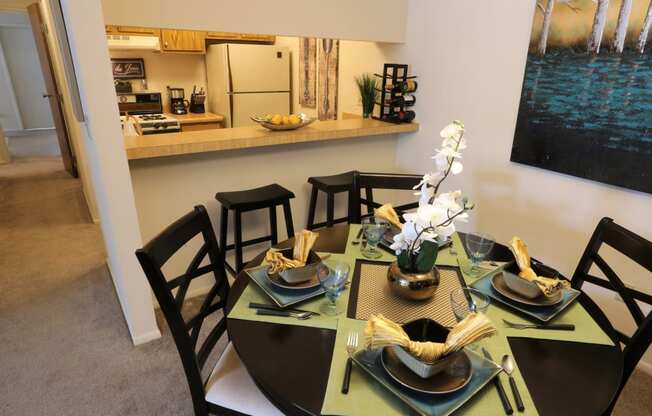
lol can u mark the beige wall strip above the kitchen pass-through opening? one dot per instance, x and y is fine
(375, 20)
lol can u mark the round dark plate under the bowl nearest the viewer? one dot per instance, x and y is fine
(453, 378)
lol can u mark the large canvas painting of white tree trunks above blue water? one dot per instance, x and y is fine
(586, 102)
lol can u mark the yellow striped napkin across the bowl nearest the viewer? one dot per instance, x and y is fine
(382, 332)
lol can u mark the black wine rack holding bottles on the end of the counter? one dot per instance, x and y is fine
(396, 88)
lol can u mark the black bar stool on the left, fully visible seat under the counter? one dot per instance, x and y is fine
(269, 197)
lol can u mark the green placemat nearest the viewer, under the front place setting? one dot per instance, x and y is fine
(367, 397)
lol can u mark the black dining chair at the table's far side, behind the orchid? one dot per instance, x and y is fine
(373, 181)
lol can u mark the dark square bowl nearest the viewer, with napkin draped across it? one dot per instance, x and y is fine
(425, 330)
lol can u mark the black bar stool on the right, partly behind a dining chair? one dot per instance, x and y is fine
(332, 185)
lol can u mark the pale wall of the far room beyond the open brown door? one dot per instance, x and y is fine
(25, 71)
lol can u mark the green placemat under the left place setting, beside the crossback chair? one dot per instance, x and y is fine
(253, 293)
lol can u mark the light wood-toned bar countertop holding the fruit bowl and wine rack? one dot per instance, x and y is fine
(170, 144)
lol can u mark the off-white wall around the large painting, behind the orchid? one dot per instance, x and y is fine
(470, 57)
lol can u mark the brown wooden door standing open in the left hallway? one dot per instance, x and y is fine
(52, 91)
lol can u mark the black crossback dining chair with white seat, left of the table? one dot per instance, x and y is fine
(228, 390)
